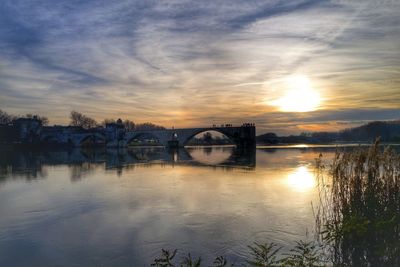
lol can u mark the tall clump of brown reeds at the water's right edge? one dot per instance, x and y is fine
(359, 218)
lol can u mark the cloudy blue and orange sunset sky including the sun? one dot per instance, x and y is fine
(287, 66)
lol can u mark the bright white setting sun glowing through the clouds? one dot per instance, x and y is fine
(298, 96)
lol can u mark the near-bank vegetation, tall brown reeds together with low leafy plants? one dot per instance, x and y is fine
(357, 218)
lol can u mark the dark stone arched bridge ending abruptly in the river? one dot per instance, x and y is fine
(116, 136)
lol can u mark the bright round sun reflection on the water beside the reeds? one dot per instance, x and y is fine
(301, 179)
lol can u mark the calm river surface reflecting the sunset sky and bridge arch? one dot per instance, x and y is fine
(120, 207)
